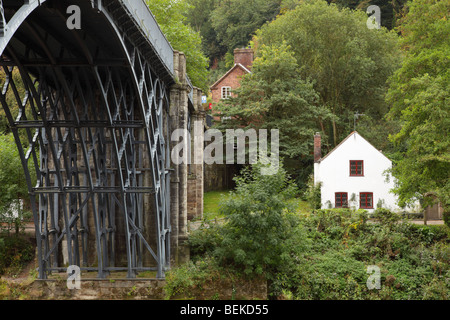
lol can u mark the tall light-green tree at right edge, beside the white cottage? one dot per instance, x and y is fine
(419, 94)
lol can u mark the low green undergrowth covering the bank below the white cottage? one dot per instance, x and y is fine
(335, 248)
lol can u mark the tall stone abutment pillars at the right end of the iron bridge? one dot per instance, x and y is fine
(187, 177)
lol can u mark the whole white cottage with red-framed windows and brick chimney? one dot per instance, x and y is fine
(353, 175)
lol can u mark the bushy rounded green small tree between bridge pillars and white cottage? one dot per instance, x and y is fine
(260, 229)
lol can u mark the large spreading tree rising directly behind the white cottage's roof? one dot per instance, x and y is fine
(347, 62)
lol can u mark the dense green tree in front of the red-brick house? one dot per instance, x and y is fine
(273, 96)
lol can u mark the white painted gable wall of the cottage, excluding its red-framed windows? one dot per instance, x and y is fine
(334, 173)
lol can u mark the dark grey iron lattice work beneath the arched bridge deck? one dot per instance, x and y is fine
(96, 144)
